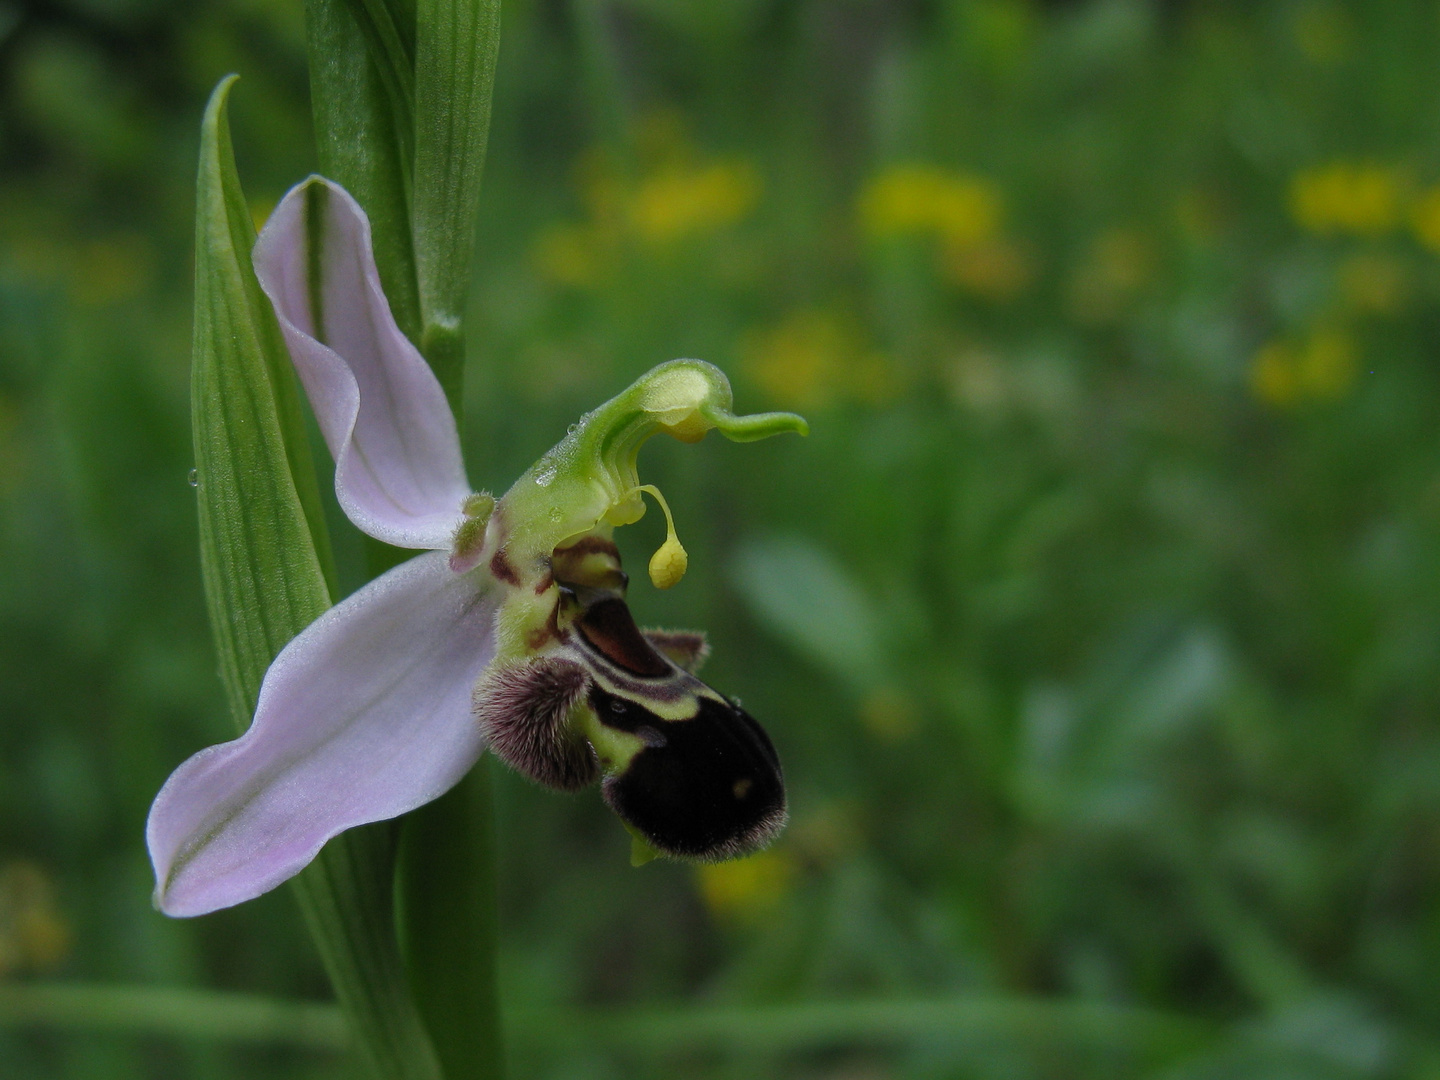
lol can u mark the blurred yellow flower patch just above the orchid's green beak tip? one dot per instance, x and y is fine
(814, 358)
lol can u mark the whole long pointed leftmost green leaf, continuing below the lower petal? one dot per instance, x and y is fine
(266, 582)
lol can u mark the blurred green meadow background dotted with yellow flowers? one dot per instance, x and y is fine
(1098, 621)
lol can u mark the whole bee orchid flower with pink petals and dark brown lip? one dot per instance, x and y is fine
(509, 631)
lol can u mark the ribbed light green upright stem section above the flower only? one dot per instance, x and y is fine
(457, 44)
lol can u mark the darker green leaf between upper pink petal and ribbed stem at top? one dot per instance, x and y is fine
(362, 145)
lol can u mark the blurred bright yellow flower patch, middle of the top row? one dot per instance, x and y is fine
(922, 199)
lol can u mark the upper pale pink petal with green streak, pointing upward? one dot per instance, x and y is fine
(400, 474)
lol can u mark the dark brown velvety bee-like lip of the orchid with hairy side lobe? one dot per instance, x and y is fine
(705, 783)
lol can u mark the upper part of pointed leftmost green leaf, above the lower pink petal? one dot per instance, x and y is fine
(260, 542)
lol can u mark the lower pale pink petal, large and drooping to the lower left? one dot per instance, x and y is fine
(362, 718)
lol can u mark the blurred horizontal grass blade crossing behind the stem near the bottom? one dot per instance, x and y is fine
(1151, 1036)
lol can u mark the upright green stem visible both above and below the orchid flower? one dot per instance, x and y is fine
(447, 882)
